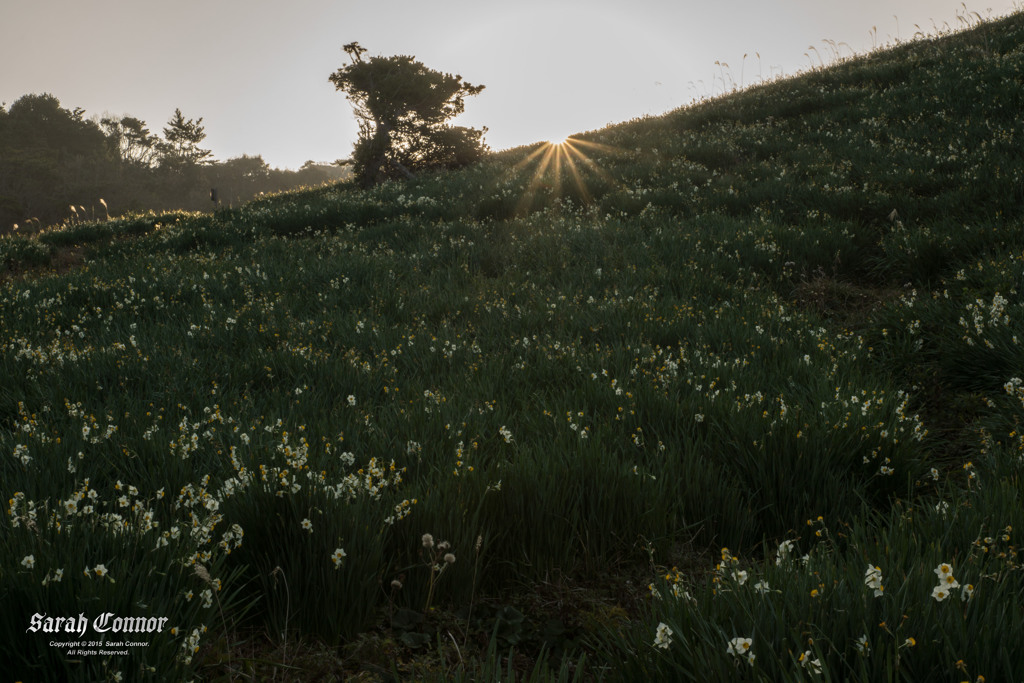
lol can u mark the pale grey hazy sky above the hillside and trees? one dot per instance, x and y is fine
(258, 71)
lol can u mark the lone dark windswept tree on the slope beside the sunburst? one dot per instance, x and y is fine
(403, 108)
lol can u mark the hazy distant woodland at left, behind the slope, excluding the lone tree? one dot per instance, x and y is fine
(57, 165)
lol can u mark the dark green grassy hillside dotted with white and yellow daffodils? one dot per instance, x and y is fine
(752, 370)
